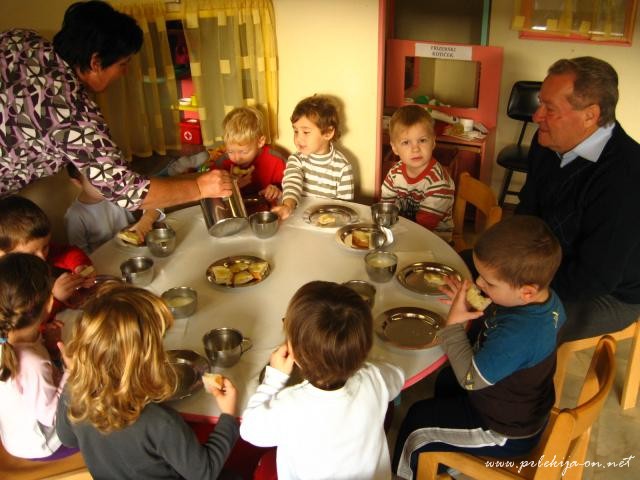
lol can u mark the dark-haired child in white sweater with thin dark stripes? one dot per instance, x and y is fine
(317, 168)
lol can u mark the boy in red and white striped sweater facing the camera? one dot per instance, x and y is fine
(418, 183)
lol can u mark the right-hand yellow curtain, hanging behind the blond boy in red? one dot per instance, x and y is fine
(232, 52)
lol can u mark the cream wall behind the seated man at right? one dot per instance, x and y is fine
(529, 60)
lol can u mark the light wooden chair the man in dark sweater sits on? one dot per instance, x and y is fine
(629, 394)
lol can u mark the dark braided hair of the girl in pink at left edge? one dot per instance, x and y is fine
(25, 290)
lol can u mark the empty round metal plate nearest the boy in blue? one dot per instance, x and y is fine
(408, 328)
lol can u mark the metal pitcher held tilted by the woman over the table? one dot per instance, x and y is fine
(225, 216)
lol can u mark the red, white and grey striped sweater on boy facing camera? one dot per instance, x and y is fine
(426, 199)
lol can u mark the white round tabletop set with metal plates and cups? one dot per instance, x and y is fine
(298, 253)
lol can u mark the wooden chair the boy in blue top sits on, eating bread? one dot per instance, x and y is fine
(566, 437)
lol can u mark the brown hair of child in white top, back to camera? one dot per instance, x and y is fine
(331, 332)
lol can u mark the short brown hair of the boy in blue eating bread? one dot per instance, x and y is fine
(521, 249)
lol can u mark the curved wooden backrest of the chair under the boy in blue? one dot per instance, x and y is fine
(568, 436)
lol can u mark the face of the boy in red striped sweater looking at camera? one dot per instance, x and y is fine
(414, 145)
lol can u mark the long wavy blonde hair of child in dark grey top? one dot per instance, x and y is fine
(118, 363)
